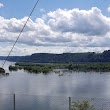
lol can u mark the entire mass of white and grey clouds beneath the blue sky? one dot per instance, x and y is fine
(62, 31)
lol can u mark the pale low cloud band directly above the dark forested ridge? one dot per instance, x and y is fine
(28, 50)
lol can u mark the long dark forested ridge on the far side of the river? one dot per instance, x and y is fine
(62, 58)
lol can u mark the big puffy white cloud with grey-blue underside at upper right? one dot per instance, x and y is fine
(88, 22)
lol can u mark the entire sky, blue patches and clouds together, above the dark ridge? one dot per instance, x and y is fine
(56, 26)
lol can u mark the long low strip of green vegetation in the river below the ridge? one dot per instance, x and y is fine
(46, 68)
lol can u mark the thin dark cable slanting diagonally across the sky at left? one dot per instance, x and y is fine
(20, 33)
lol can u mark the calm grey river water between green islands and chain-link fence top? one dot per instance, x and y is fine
(74, 84)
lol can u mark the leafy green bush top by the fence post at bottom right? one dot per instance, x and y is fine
(82, 105)
